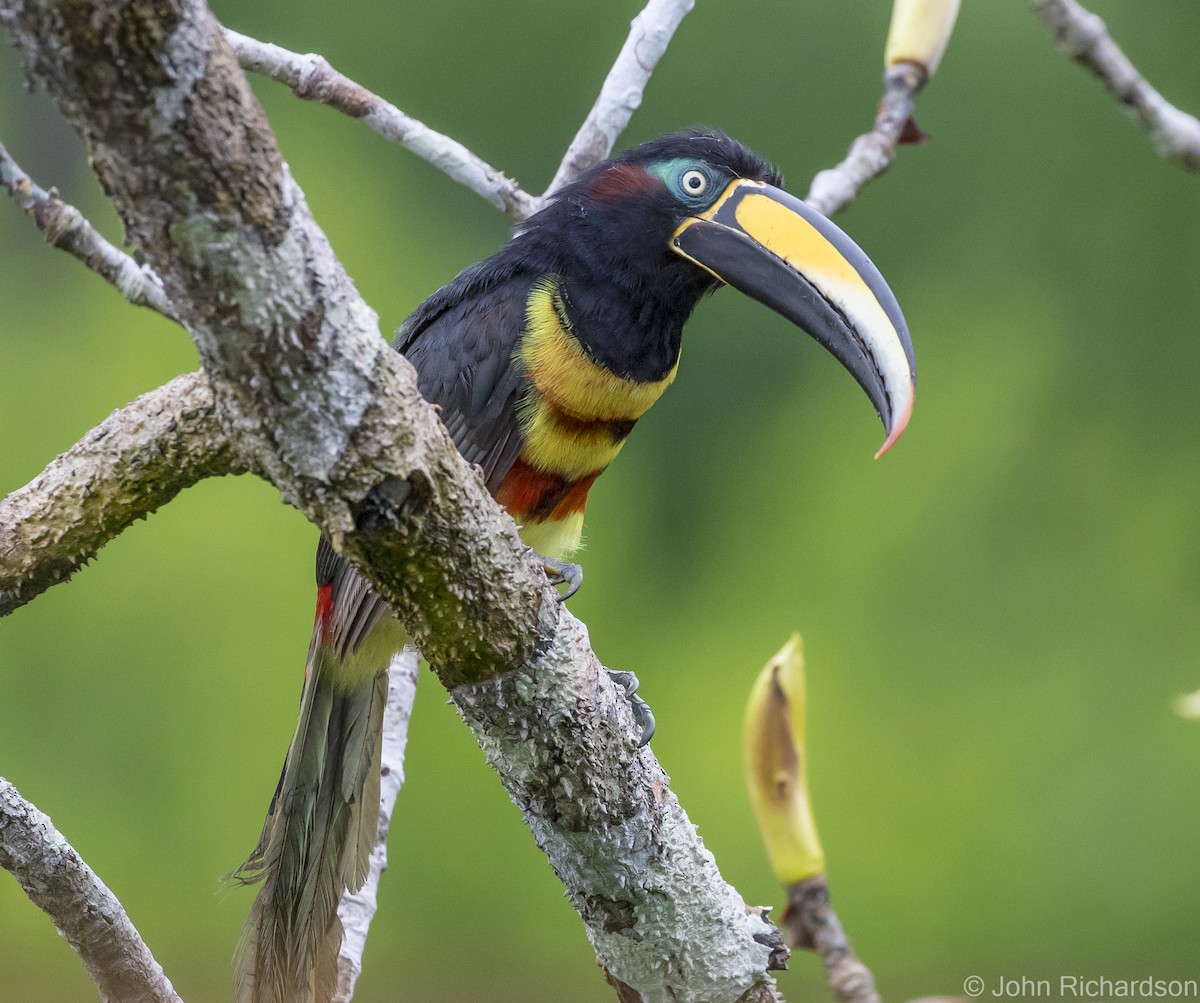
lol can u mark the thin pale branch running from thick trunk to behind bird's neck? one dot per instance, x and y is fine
(313, 79)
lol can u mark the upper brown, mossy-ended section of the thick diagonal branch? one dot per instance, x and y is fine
(309, 391)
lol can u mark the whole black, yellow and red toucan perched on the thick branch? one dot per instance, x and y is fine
(542, 359)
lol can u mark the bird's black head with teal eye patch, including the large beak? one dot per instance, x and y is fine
(691, 212)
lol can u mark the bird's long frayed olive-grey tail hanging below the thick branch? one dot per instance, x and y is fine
(317, 838)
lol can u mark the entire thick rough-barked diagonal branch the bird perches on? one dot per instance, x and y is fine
(308, 395)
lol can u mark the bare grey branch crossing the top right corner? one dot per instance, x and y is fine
(1083, 37)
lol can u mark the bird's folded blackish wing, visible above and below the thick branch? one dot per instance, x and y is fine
(463, 343)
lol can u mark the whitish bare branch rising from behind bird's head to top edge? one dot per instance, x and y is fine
(622, 93)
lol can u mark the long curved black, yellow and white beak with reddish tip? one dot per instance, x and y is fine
(777, 250)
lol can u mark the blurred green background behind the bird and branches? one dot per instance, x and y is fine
(998, 616)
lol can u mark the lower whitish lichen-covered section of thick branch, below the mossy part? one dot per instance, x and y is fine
(603, 813)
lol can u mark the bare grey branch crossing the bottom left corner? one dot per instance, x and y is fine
(87, 915)
